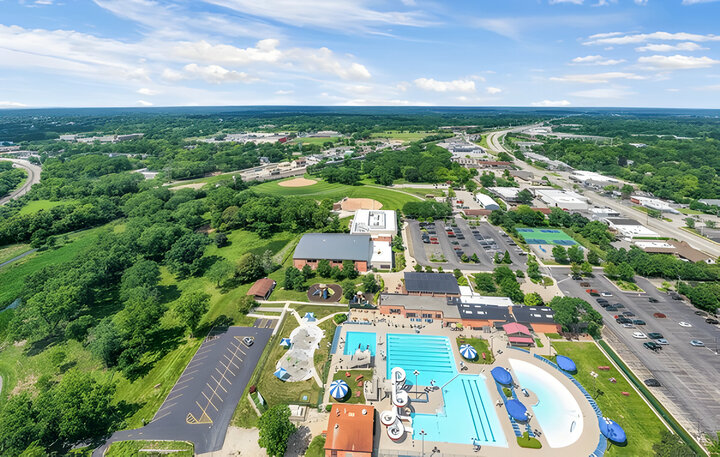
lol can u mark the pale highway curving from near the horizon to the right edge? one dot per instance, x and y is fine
(663, 228)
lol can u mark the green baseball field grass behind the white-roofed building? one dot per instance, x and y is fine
(391, 199)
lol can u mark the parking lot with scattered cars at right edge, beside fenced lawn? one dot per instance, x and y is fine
(688, 374)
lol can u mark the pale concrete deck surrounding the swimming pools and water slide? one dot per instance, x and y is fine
(381, 325)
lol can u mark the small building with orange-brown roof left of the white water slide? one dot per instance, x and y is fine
(350, 431)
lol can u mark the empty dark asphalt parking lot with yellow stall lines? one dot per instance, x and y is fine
(201, 404)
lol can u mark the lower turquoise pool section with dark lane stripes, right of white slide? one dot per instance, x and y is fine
(468, 415)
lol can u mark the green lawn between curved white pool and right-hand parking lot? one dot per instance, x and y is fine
(642, 426)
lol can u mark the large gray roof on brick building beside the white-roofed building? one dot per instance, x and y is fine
(334, 246)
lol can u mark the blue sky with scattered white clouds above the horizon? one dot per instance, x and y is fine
(642, 53)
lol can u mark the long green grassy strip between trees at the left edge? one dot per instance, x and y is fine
(12, 276)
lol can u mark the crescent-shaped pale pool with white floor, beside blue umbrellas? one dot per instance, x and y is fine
(557, 411)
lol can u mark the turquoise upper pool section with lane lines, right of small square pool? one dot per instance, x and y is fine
(430, 355)
